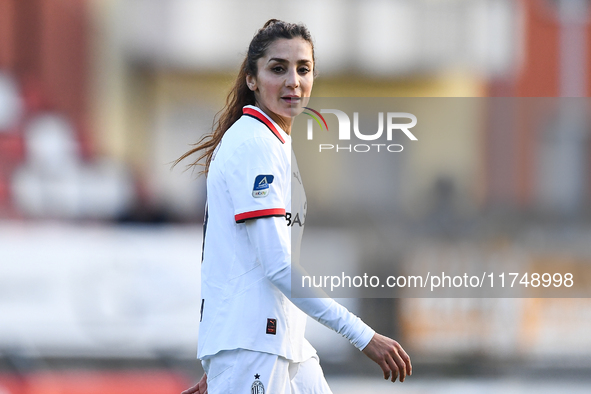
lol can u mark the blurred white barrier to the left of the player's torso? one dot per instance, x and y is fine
(125, 291)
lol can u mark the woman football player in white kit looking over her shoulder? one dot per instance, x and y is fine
(252, 333)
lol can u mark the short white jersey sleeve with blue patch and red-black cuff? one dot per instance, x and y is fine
(256, 179)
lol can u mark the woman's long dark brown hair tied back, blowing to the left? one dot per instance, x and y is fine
(240, 95)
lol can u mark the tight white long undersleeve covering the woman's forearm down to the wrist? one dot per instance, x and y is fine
(270, 238)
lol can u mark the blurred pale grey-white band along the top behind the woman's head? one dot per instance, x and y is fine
(379, 37)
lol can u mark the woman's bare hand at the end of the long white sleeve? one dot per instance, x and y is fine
(390, 356)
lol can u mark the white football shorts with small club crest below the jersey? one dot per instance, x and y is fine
(242, 371)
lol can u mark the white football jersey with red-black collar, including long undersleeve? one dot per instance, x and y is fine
(247, 263)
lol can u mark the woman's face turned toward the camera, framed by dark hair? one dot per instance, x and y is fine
(284, 77)
